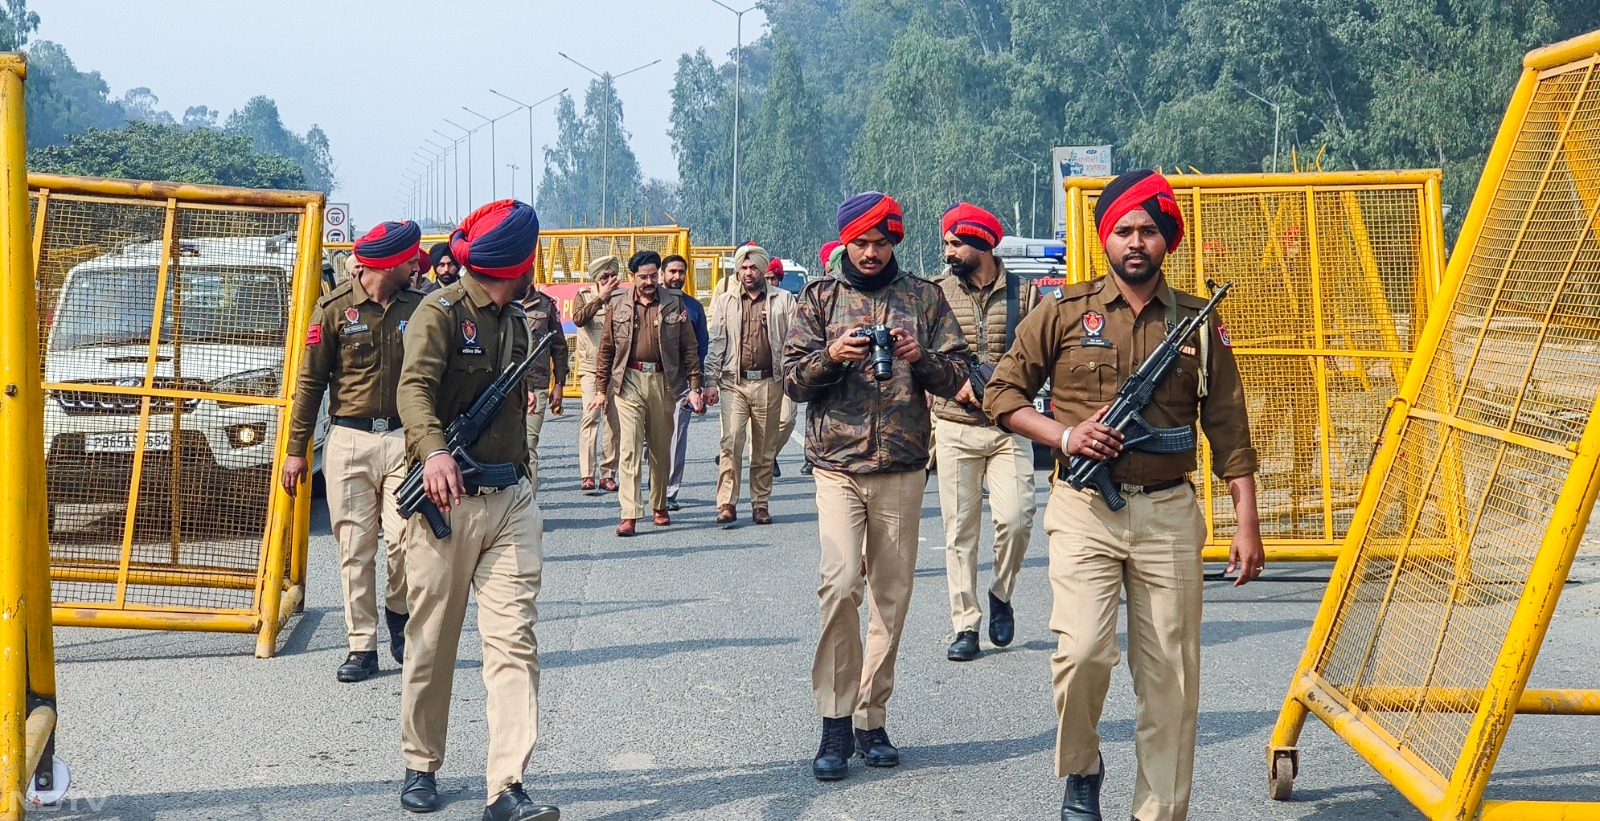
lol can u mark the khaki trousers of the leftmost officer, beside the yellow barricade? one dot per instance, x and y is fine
(362, 471)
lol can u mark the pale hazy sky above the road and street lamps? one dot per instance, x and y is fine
(382, 78)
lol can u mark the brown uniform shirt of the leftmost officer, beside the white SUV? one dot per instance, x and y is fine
(353, 346)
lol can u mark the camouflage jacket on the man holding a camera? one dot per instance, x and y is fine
(855, 423)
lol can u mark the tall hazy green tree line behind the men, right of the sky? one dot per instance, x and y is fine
(938, 102)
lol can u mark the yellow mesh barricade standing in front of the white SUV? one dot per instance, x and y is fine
(174, 334)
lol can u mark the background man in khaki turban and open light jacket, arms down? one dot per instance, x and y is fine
(745, 372)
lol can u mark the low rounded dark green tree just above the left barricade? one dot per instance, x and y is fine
(167, 153)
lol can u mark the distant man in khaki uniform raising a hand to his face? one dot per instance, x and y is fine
(598, 425)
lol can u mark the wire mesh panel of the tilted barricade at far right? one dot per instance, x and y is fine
(1466, 503)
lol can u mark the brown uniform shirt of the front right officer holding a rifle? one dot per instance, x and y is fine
(1089, 340)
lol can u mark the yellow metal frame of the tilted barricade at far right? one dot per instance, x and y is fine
(1460, 793)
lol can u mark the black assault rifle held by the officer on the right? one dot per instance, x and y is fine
(1132, 399)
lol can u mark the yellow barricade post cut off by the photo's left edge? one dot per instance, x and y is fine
(28, 657)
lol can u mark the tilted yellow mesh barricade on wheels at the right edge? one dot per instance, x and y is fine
(1420, 655)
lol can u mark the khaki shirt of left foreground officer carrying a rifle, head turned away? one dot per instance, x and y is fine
(458, 343)
